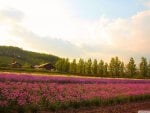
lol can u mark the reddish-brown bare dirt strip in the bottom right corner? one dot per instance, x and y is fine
(133, 107)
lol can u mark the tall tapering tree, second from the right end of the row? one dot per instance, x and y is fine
(131, 67)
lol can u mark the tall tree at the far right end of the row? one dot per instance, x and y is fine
(143, 67)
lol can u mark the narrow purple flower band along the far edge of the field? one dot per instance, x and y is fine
(59, 79)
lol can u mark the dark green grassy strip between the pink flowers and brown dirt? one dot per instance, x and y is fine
(58, 106)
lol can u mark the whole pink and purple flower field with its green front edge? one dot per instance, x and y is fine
(31, 93)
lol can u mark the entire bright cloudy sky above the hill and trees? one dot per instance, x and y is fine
(98, 29)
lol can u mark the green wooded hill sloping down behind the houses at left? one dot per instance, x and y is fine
(26, 58)
